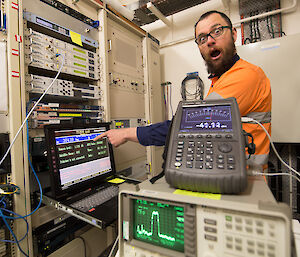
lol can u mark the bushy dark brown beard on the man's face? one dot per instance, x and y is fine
(217, 69)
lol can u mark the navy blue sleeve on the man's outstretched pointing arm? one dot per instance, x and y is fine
(154, 134)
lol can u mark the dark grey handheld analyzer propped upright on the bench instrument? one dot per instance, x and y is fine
(206, 149)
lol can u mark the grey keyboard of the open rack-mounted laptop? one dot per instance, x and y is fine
(96, 199)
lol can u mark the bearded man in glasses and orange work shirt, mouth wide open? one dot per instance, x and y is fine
(230, 76)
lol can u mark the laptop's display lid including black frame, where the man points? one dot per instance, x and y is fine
(76, 162)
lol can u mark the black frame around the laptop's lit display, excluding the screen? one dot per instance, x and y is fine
(56, 189)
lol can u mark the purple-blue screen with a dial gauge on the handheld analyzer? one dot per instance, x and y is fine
(215, 118)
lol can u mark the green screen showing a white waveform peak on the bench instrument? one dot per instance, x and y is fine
(159, 224)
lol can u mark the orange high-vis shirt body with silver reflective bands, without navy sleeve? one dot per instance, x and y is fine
(251, 88)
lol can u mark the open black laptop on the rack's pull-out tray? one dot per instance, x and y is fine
(80, 169)
